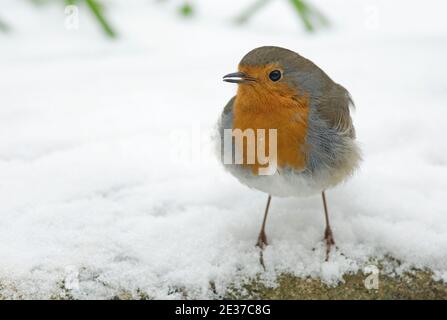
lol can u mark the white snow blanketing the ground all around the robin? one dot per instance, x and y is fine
(108, 182)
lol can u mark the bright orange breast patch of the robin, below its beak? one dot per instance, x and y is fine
(255, 108)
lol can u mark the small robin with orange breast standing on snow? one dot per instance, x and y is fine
(310, 113)
